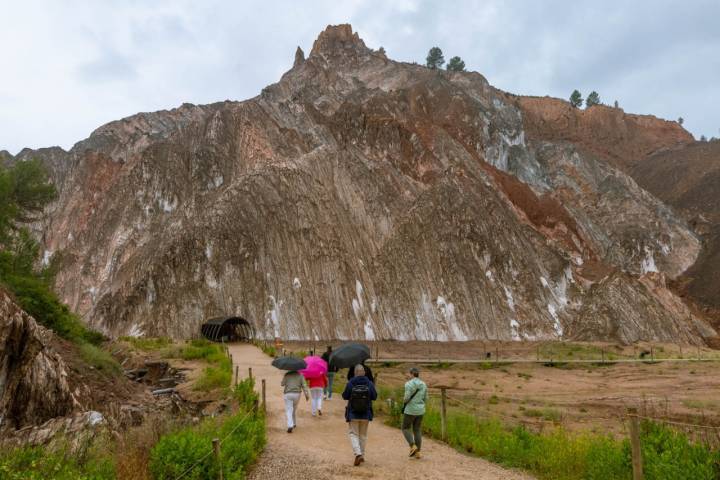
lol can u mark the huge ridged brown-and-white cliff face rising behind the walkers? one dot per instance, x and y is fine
(360, 197)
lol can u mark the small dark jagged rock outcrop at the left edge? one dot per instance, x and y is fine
(33, 383)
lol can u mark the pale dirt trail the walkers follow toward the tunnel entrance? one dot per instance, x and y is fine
(319, 447)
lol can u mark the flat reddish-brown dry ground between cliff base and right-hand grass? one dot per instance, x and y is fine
(577, 395)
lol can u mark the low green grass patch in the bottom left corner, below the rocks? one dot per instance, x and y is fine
(40, 463)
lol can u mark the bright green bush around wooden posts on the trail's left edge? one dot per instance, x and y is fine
(243, 438)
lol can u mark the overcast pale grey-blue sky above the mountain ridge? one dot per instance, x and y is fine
(70, 66)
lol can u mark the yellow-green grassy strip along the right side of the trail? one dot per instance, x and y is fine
(557, 454)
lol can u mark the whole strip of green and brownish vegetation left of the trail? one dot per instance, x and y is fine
(158, 450)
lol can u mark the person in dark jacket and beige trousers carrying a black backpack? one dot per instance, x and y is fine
(360, 393)
